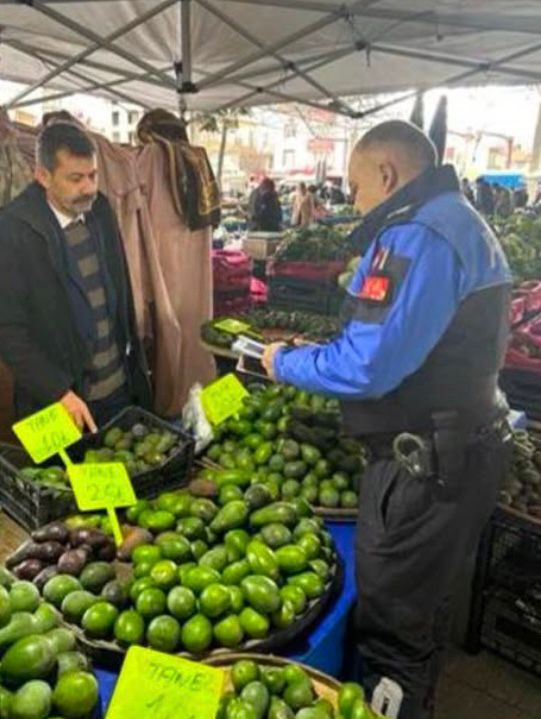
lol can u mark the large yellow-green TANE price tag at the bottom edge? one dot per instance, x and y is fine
(153, 685)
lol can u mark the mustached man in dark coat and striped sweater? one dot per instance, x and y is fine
(67, 329)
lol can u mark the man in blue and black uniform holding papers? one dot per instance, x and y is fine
(424, 336)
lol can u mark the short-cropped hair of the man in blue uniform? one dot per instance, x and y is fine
(418, 146)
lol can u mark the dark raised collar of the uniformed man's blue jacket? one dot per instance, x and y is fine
(404, 203)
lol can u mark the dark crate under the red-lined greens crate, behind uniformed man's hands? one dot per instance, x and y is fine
(304, 295)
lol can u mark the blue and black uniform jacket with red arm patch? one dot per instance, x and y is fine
(425, 322)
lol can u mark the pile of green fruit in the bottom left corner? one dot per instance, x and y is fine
(41, 673)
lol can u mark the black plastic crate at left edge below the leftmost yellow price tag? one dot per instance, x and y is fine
(31, 505)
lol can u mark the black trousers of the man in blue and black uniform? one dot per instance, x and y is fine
(412, 540)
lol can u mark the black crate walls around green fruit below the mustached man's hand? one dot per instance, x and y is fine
(173, 473)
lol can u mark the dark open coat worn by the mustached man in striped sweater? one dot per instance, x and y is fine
(44, 336)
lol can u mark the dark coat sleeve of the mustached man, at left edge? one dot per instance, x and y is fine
(32, 370)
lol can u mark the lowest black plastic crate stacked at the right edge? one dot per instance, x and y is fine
(512, 628)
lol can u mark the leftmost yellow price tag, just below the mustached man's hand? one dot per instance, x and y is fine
(47, 432)
